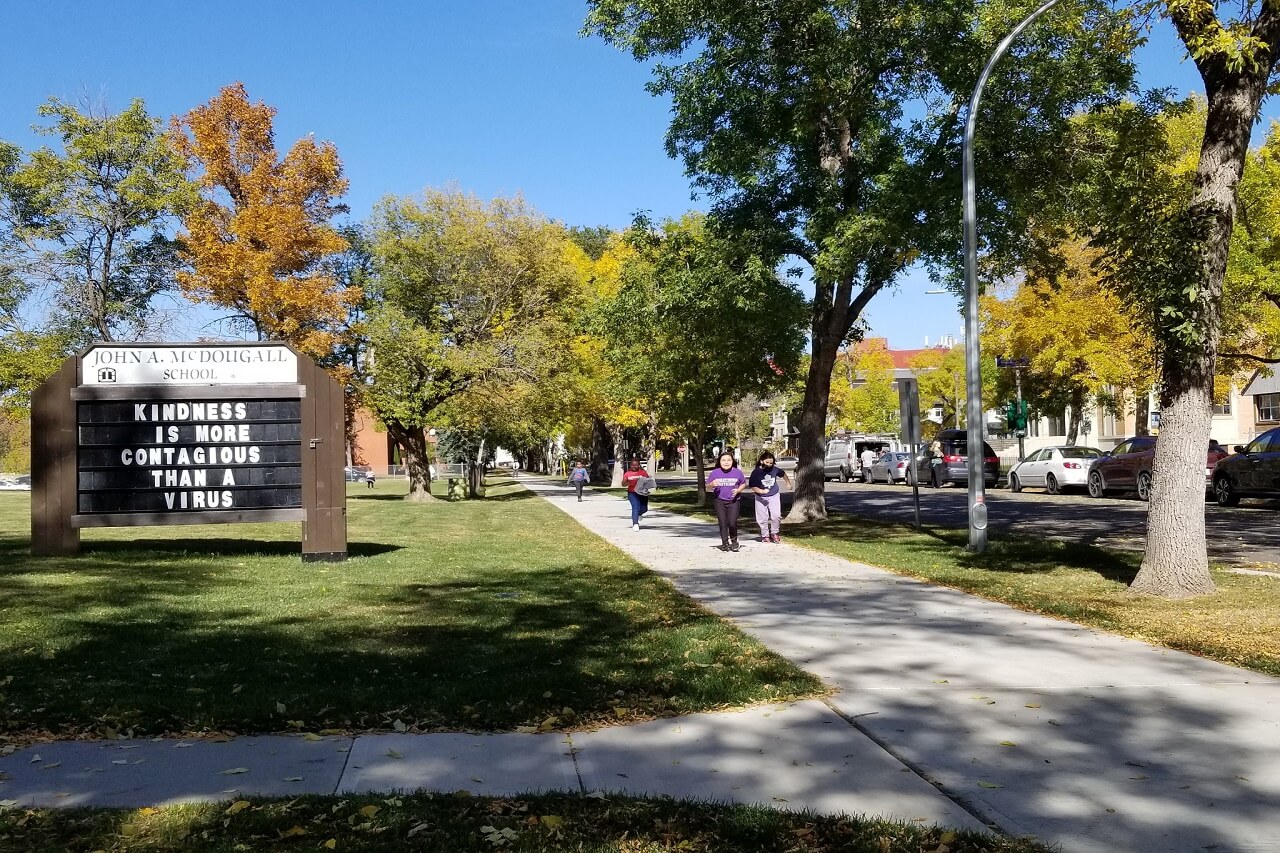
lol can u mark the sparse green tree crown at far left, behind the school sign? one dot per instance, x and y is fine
(86, 225)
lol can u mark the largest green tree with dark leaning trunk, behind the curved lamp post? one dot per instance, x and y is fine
(834, 126)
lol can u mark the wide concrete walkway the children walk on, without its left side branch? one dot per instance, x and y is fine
(1040, 727)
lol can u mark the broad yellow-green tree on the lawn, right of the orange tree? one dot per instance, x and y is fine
(467, 294)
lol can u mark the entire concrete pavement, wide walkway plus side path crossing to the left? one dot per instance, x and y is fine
(1030, 724)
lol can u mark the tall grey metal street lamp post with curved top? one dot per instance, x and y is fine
(972, 352)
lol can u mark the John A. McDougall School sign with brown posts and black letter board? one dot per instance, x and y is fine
(196, 434)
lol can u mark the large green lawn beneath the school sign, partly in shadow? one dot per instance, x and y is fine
(472, 615)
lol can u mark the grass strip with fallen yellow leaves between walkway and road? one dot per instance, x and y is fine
(1240, 624)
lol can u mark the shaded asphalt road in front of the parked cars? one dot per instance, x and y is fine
(1246, 536)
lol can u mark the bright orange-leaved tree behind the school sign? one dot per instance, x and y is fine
(258, 239)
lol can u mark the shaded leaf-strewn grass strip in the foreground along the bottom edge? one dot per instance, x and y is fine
(456, 823)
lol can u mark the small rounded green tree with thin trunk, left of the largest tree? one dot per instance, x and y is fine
(701, 321)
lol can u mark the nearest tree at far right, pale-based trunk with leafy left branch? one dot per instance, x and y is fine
(1168, 245)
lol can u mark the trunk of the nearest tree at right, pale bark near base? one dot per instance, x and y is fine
(1177, 563)
